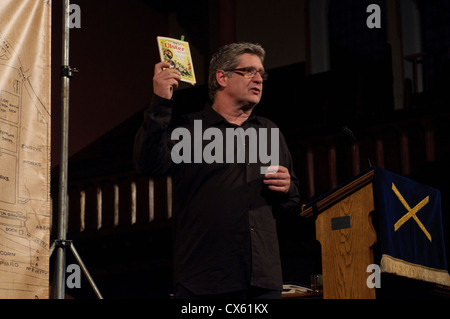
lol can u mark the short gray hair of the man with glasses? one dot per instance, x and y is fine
(226, 58)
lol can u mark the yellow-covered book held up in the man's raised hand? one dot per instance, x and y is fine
(178, 54)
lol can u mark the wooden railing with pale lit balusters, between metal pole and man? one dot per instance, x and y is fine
(117, 201)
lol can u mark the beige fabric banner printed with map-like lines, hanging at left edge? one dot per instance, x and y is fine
(25, 54)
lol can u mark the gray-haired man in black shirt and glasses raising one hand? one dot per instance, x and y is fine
(225, 210)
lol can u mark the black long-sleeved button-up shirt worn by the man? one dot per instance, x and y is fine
(224, 215)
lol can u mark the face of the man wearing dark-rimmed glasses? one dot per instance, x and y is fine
(243, 89)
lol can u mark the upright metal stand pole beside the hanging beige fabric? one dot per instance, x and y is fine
(60, 262)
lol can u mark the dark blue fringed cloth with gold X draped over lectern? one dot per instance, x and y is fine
(411, 233)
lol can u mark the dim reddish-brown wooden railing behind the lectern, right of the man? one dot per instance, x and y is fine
(402, 147)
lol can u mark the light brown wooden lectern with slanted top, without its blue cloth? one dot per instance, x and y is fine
(346, 234)
